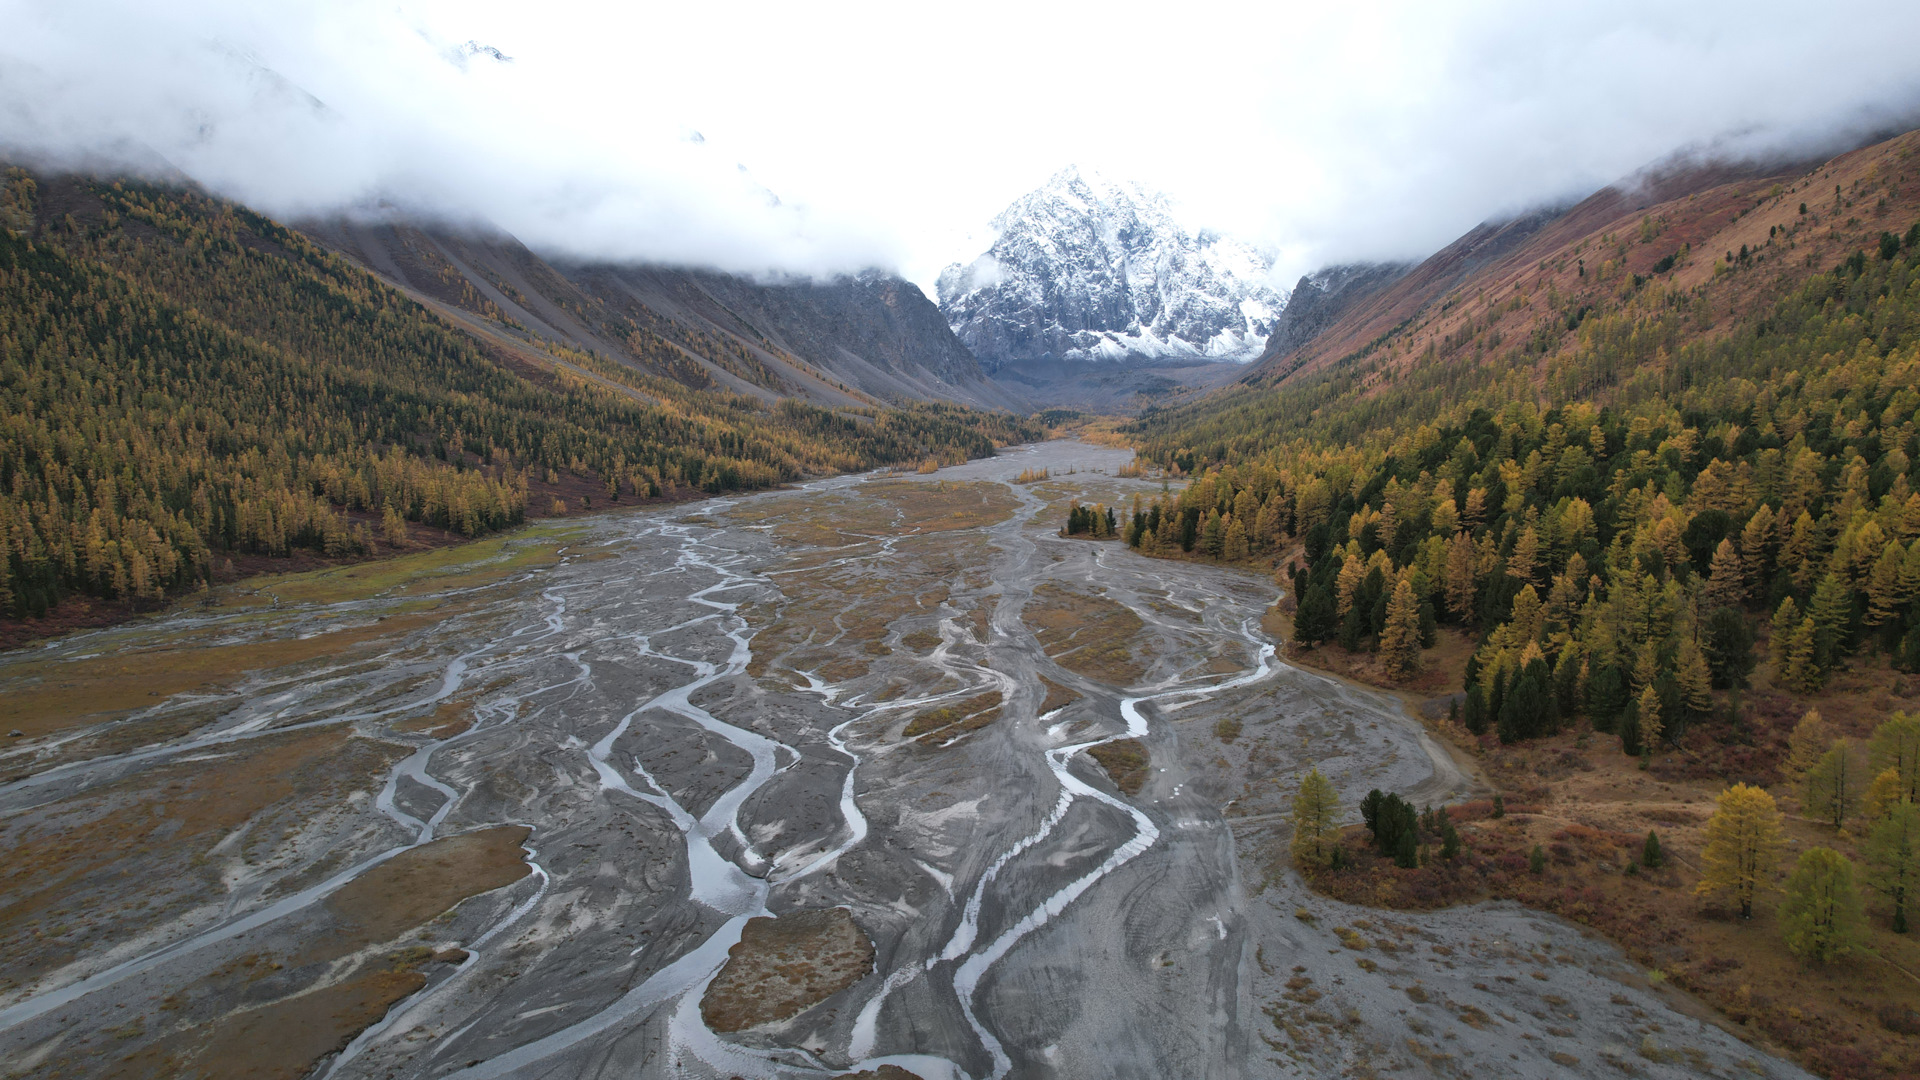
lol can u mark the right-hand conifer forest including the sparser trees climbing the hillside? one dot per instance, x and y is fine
(1620, 504)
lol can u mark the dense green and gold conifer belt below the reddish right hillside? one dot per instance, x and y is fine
(1616, 562)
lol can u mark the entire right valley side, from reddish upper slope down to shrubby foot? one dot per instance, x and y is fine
(1639, 478)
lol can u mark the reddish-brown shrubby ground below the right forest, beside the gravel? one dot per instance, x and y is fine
(1591, 808)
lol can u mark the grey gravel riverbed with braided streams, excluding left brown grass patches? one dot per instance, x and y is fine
(700, 716)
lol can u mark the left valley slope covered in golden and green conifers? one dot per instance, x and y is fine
(183, 381)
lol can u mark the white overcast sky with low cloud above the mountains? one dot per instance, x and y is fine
(828, 137)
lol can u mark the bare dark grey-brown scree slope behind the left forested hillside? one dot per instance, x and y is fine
(855, 341)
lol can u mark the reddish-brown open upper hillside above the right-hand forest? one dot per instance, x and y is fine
(1504, 310)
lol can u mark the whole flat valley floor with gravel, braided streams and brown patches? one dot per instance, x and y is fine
(508, 814)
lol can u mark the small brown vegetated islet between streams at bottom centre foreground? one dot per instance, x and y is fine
(784, 968)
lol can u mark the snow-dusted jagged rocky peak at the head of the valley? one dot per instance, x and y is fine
(1095, 270)
